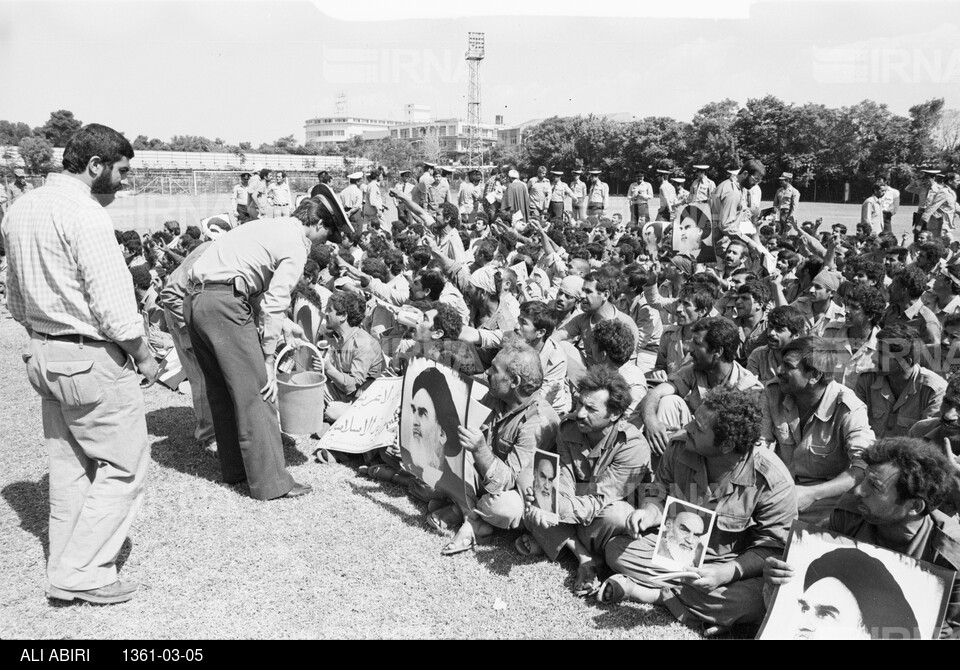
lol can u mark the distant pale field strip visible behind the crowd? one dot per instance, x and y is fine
(147, 212)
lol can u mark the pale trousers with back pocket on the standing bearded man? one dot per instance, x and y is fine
(96, 435)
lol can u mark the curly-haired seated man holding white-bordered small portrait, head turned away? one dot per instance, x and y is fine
(715, 464)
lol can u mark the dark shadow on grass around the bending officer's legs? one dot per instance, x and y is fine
(177, 449)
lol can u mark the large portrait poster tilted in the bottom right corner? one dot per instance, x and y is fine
(848, 590)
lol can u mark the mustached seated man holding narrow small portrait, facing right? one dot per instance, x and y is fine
(603, 460)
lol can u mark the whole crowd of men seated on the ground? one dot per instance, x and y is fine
(803, 374)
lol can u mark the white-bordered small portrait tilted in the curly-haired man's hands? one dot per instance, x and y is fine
(684, 535)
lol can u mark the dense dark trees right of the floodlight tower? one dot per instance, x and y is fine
(825, 148)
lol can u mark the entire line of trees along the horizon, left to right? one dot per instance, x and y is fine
(825, 148)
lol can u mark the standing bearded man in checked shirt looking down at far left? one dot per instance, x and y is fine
(69, 287)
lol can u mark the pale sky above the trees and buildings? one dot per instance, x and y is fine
(255, 71)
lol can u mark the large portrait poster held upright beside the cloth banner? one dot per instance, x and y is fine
(433, 406)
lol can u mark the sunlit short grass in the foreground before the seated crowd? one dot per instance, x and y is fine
(355, 559)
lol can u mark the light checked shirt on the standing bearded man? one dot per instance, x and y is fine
(67, 274)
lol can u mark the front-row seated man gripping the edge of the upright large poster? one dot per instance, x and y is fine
(503, 452)
